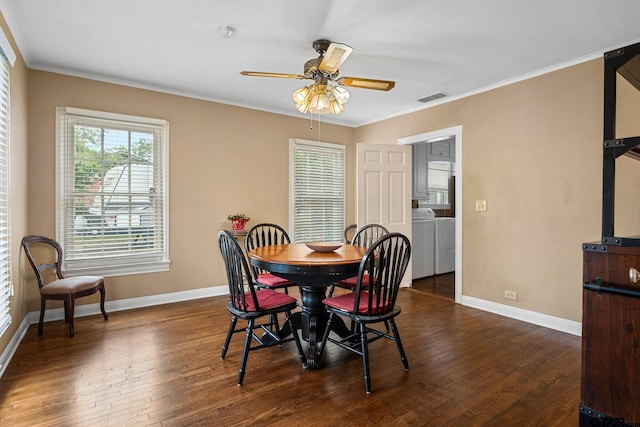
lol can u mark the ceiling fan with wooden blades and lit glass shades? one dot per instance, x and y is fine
(322, 97)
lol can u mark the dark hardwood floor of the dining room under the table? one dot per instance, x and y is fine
(161, 366)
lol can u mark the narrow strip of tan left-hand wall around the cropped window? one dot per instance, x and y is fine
(18, 181)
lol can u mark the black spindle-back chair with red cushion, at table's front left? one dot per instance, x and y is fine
(251, 304)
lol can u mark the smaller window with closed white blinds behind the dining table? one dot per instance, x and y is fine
(316, 197)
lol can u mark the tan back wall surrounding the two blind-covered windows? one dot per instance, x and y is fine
(222, 160)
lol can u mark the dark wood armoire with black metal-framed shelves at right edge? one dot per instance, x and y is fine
(610, 392)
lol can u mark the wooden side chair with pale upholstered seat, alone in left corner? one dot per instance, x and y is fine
(62, 288)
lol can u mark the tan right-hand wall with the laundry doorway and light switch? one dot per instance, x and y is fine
(533, 151)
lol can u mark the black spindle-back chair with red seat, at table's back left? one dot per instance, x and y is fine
(266, 234)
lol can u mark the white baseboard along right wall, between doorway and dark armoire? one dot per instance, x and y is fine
(551, 322)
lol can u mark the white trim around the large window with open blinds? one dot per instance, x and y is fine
(137, 264)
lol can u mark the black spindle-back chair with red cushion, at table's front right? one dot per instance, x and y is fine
(374, 300)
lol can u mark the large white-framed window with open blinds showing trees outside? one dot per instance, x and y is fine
(112, 192)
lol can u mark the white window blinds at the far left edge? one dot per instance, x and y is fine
(5, 261)
